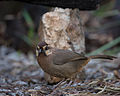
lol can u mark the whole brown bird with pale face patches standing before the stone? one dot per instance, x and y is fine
(62, 63)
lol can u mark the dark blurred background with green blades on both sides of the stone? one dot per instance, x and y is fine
(19, 24)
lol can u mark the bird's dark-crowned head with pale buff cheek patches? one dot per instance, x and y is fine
(42, 48)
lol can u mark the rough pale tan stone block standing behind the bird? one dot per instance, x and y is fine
(62, 28)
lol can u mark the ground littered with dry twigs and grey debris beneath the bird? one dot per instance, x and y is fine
(20, 75)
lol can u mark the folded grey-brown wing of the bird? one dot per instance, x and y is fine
(64, 56)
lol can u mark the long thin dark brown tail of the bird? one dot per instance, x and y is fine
(102, 57)
